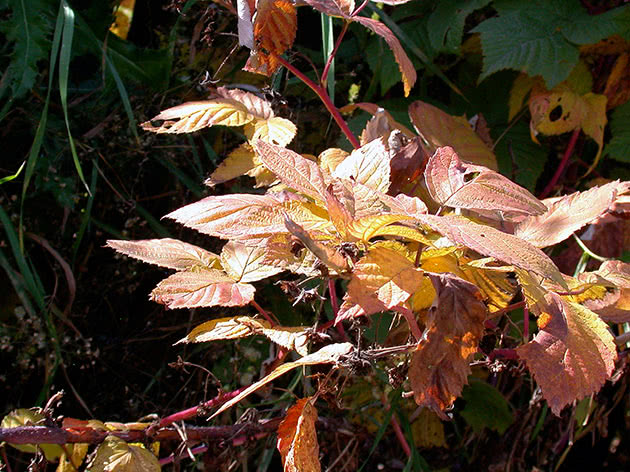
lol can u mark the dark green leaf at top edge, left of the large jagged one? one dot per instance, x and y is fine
(446, 23)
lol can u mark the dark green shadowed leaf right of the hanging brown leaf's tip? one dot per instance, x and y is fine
(486, 407)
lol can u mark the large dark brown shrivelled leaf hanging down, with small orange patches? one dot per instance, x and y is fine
(454, 326)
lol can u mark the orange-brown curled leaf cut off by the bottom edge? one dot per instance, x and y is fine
(297, 438)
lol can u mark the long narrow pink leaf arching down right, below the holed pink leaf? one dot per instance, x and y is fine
(491, 242)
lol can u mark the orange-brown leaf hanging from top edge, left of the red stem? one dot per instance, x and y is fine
(275, 25)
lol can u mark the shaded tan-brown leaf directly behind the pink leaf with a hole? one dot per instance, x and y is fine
(440, 129)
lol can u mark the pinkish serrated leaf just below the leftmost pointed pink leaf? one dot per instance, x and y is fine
(203, 288)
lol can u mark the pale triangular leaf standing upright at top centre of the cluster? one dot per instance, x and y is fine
(367, 165)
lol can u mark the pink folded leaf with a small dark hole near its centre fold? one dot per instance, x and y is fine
(458, 184)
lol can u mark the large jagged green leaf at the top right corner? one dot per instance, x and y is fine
(540, 37)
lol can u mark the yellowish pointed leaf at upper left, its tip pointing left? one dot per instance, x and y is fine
(193, 116)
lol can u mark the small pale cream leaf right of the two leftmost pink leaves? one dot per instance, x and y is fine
(246, 264)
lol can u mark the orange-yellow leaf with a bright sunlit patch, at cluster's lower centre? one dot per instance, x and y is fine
(382, 279)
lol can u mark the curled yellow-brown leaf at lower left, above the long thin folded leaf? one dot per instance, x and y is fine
(235, 327)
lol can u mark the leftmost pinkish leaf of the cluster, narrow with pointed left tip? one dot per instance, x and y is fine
(170, 253)
